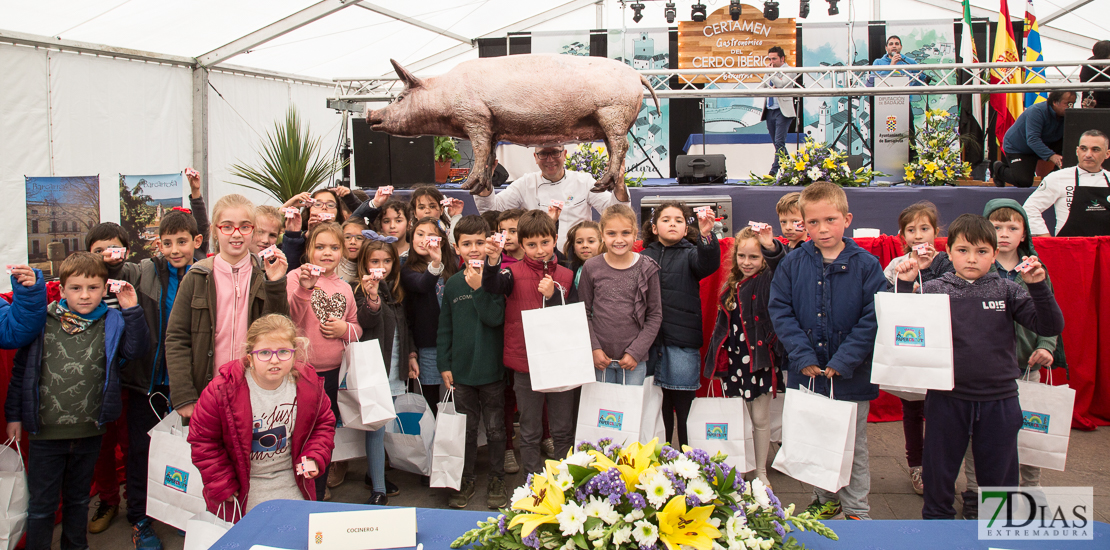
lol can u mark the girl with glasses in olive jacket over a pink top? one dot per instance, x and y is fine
(217, 302)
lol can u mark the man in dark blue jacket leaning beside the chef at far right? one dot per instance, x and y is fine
(1037, 135)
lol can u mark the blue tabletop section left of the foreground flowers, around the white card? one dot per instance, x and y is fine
(285, 524)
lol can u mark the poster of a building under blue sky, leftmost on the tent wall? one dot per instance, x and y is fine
(59, 209)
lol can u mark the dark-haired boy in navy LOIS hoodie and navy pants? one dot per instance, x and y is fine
(983, 406)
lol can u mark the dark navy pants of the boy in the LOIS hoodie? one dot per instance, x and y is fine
(950, 423)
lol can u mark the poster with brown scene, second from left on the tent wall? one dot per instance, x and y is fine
(144, 199)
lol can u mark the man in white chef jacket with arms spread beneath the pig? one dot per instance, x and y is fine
(554, 182)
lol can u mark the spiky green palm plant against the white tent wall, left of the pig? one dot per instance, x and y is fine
(291, 163)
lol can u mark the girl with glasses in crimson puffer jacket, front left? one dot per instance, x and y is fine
(264, 429)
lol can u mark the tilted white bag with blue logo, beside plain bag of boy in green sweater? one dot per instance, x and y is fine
(410, 436)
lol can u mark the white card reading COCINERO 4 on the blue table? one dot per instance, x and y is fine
(372, 529)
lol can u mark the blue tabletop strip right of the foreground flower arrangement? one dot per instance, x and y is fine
(952, 535)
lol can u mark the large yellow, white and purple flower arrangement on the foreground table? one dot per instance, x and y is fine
(644, 497)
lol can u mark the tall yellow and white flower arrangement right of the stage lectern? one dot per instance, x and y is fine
(939, 159)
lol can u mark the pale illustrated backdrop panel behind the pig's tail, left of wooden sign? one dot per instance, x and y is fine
(650, 139)
